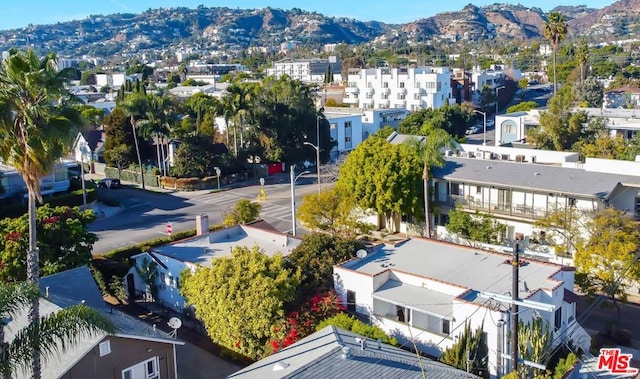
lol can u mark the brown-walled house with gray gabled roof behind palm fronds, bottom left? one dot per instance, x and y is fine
(135, 350)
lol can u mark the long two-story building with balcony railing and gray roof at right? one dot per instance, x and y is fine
(518, 193)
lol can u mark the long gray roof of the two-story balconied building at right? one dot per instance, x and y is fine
(538, 177)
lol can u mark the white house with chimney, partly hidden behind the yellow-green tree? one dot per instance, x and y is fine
(189, 254)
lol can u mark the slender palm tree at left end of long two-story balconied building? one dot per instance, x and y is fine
(430, 151)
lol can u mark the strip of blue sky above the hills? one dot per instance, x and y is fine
(19, 13)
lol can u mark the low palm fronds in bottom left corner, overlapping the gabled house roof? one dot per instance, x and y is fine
(52, 334)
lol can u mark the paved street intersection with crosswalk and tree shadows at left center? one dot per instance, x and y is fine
(146, 214)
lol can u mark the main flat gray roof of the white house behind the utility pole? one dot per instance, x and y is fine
(457, 265)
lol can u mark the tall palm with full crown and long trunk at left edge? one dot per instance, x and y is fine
(36, 124)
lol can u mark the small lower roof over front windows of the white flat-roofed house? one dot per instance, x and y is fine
(418, 298)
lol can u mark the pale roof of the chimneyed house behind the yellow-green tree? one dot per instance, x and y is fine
(202, 250)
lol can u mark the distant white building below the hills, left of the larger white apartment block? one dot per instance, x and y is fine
(307, 70)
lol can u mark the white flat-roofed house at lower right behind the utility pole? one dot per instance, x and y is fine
(426, 291)
